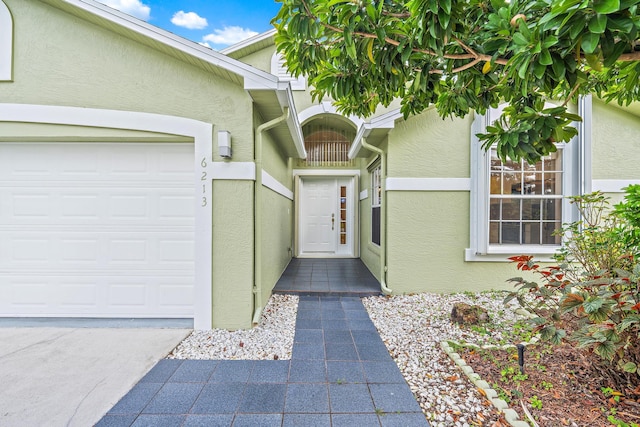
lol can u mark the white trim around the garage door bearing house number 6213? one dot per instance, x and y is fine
(201, 132)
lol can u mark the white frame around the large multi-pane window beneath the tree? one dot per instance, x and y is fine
(480, 249)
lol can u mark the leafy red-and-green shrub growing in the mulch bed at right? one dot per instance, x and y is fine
(592, 295)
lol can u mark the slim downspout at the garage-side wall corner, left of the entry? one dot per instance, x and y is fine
(257, 207)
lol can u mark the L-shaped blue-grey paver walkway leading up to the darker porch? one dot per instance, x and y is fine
(340, 374)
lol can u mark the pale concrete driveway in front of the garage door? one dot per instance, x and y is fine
(72, 376)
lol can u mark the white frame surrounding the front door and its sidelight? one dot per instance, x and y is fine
(353, 174)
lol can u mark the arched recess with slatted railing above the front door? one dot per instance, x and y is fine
(327, 146)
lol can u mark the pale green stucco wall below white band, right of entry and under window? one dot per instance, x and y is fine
(426, 235)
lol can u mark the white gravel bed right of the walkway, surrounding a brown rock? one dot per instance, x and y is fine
(412, 327)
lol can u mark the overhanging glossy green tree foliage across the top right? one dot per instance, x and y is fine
(464, 55)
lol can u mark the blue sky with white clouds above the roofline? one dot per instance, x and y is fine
(215, 23)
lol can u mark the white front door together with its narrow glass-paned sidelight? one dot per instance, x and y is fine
(326, 217)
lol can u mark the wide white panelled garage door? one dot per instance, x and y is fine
(96, 229)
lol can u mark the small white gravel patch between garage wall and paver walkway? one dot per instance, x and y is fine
(271, 339)
